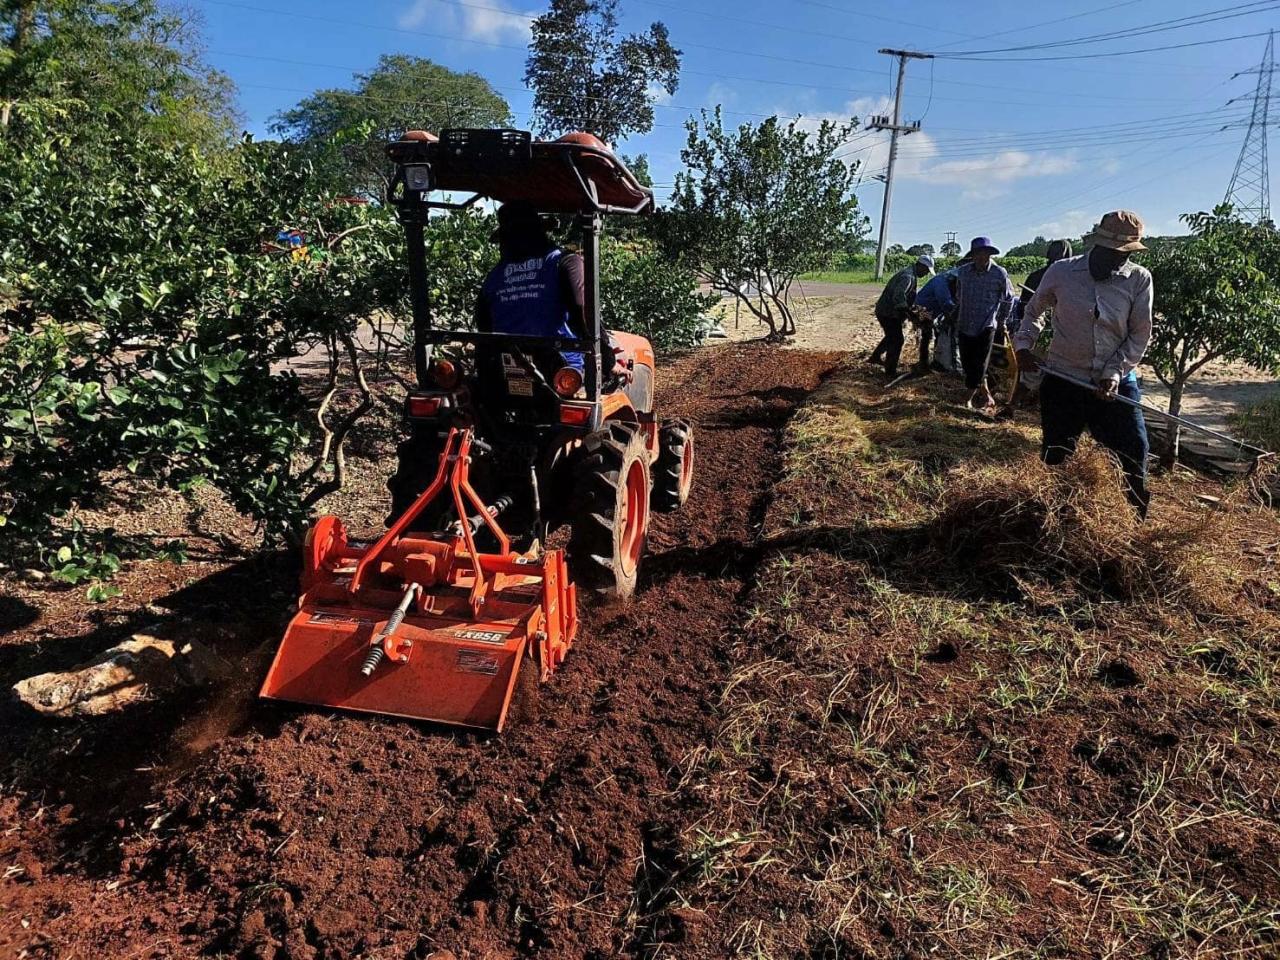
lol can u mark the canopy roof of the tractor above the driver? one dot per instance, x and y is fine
(573, 175)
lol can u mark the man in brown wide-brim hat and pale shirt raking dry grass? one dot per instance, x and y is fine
(1103, 308)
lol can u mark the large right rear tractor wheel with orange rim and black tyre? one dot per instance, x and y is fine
(610, 519)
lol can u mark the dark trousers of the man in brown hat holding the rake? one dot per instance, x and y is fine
(1068, 412)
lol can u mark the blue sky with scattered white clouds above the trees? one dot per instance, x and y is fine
(1008, 149)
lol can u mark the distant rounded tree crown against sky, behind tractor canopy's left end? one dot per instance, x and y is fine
(346, 131)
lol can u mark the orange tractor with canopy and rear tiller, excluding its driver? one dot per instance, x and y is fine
(461, 605)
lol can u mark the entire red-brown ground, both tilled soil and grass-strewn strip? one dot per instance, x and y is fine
(813, 734)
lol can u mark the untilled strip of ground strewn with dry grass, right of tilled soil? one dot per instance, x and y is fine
(980, 711)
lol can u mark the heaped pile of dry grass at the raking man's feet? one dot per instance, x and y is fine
(1030, 531)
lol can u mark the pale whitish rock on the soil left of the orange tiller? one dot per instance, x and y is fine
(141, 669)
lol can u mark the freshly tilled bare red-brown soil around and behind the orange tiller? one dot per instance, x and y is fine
(234, 828)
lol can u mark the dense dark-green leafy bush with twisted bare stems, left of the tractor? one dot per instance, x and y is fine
(148, 317)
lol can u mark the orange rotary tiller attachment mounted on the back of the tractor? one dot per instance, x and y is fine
(426, 627)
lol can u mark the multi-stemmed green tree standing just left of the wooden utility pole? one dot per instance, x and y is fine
(761, 205)
